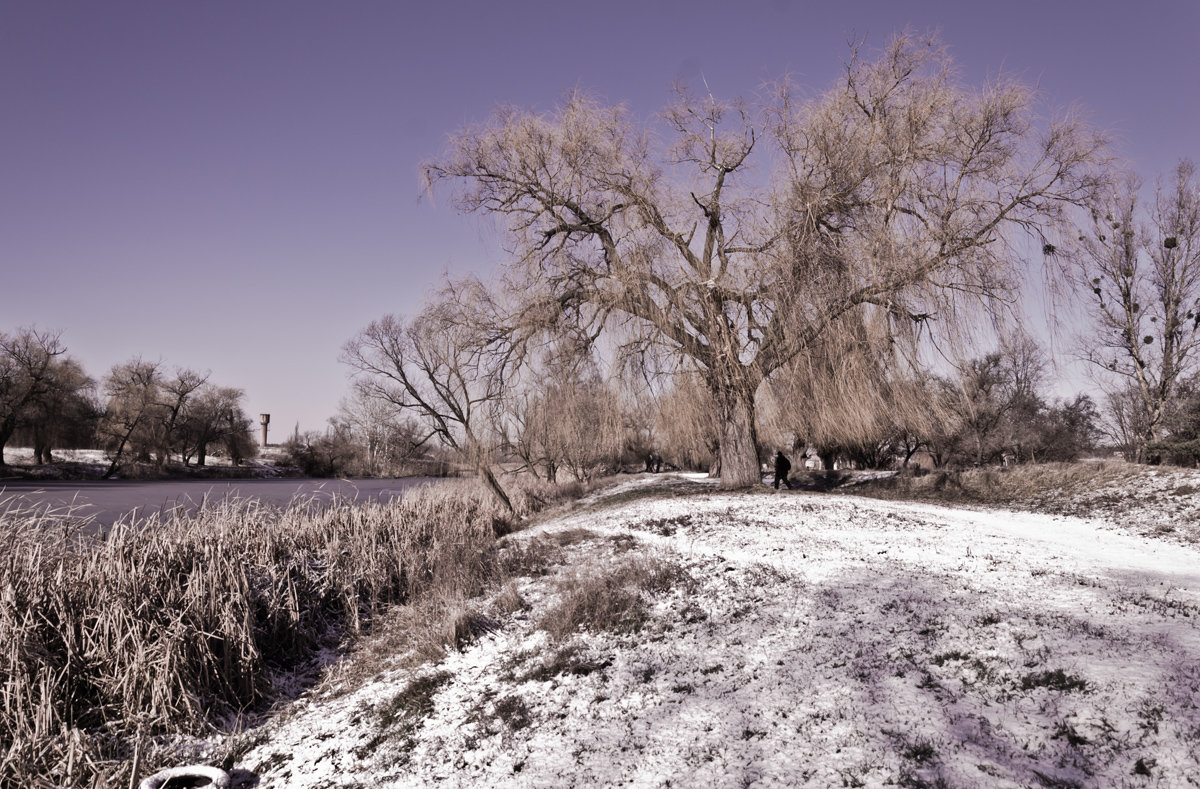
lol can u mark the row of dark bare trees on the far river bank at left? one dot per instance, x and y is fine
(141, 412)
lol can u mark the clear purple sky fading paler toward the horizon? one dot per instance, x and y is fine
(233, 188)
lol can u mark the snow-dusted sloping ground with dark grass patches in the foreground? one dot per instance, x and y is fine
(812, 640)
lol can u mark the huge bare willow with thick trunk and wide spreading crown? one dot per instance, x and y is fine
(741, 240)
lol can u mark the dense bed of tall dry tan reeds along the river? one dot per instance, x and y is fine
(177, 624)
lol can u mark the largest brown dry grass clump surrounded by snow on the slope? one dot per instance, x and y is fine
(610, 599)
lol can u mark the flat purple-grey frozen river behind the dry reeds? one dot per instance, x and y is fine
(104, 503)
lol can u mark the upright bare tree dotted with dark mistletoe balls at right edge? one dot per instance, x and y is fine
(1144, 284)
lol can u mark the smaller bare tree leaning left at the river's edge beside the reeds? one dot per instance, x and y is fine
(440, 366)
